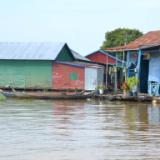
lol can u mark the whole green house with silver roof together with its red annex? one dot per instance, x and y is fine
(46, 66)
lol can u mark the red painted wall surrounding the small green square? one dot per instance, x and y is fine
(61, 77)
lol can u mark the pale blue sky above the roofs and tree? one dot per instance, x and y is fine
(80, 23)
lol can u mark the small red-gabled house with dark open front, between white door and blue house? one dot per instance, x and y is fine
(113, 67)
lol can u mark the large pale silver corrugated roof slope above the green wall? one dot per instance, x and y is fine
(30, 50)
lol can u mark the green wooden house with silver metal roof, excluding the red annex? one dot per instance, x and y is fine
(30, 65)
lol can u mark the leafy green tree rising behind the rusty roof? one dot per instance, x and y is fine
(120, 36)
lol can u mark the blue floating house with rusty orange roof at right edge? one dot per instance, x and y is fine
(143, 61)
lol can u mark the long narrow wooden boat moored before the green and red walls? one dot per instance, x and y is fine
(44, 95)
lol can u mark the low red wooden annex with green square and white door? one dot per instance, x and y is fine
(77, 75)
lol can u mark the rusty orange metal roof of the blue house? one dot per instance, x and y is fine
(147, 40)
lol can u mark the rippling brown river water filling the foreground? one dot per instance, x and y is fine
(78, 130)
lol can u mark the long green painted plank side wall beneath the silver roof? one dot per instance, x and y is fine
(25, 74)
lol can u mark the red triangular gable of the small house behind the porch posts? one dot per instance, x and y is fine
(101, 58)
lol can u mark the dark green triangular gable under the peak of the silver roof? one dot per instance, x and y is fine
(65, 55)
